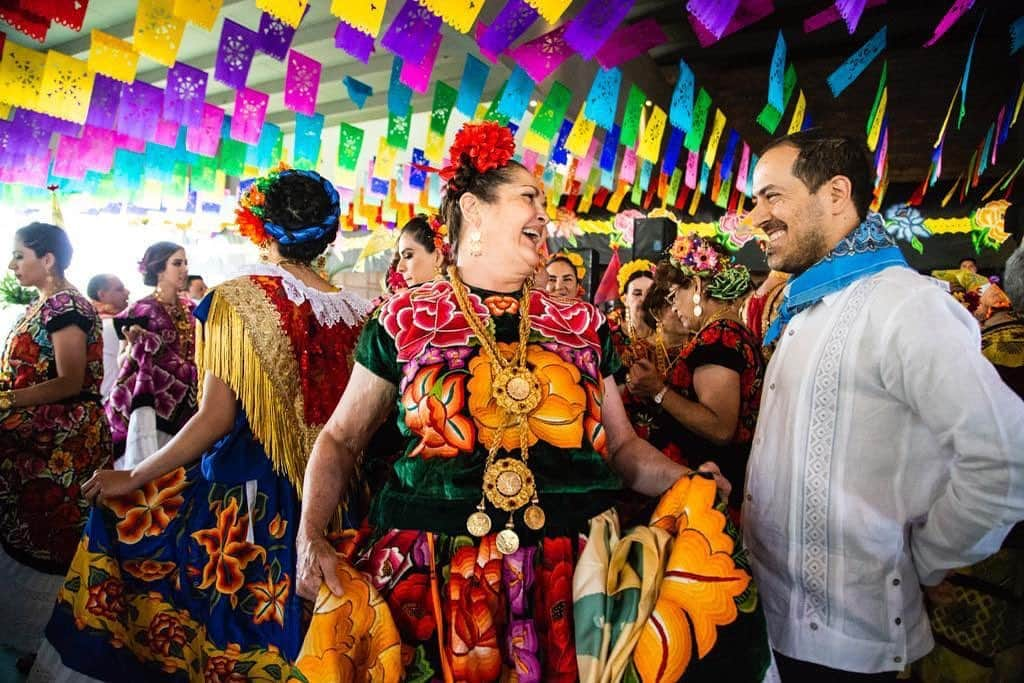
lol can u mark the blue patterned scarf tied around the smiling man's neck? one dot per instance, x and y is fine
(868, 250)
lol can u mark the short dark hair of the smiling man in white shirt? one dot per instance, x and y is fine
(824, 156)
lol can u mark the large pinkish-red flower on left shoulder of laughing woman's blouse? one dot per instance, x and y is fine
(429, 316)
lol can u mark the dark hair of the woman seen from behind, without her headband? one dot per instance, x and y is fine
(295, 201)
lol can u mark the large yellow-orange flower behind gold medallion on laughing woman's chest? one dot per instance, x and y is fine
(558, 419)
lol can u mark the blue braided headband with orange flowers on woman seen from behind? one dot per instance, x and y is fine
(251, 215)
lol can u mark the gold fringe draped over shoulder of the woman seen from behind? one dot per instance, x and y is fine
(243, 345)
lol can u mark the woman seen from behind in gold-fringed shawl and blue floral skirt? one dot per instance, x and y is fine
(187, 570)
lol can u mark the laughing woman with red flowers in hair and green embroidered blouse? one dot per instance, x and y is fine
(516, 439)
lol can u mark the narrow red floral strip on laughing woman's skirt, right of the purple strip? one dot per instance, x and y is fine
(554, 611)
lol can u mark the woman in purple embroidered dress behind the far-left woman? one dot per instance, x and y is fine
(155, 393)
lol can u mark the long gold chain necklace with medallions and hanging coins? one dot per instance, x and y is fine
(508, 483)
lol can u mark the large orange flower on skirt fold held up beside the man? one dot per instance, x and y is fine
(701, 584)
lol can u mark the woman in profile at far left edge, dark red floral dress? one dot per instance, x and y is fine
(54, 434)
